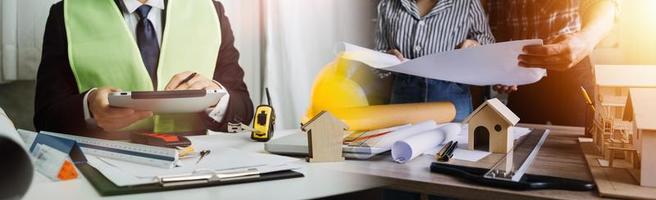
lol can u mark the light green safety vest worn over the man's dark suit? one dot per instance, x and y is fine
(103, 52)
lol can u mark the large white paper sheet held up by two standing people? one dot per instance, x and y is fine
(482, 65)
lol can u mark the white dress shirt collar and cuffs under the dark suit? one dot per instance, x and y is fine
(155, 16)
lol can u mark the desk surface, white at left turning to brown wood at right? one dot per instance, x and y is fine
(560, 156)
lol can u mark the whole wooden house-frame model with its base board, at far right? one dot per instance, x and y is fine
(624, 132)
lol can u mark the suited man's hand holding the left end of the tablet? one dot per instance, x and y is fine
(110, 118)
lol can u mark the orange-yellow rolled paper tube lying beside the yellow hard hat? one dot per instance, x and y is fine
(384, 116)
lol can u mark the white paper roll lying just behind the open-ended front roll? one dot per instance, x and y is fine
(389, 139)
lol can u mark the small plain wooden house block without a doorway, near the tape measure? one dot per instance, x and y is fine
(325, 137)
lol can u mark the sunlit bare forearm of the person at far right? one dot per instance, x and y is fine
(598, 21)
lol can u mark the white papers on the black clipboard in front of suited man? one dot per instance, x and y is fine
(124, 173)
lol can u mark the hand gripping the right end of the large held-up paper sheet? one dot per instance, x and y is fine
(559, 54)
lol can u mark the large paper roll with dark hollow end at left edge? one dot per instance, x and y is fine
(16, 164)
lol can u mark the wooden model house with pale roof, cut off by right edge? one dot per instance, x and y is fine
(641, 111)
